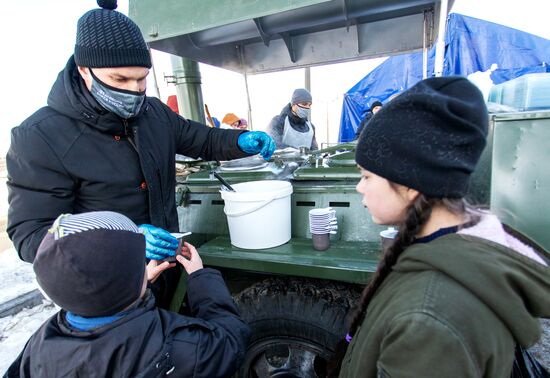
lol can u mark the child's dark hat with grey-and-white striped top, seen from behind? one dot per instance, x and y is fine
(92, 264)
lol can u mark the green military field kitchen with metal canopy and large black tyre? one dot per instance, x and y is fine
(294, 297)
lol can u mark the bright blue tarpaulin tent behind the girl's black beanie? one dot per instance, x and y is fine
(471, 45)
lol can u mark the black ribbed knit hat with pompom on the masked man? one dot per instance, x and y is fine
(107, 38)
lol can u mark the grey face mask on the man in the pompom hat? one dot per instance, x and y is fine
(126, 104)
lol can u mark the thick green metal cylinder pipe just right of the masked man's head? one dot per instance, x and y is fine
(188, 88)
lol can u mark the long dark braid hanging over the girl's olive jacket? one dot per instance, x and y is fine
(417, 214)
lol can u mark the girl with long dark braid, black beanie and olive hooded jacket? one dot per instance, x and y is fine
(455, 292)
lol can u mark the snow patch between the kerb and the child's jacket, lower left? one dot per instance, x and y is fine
(15, 330)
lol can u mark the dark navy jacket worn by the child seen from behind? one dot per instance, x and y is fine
(148, 342)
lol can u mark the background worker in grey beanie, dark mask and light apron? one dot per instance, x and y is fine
(293, 127)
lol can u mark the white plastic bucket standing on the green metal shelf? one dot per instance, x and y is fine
(258, 213)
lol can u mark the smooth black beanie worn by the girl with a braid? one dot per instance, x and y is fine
(429, 138)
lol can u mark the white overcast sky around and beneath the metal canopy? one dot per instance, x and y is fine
(39, 37)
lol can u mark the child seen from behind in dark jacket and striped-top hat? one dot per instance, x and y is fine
(109, 326)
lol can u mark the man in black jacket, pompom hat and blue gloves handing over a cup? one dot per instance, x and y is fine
(102, 144)
